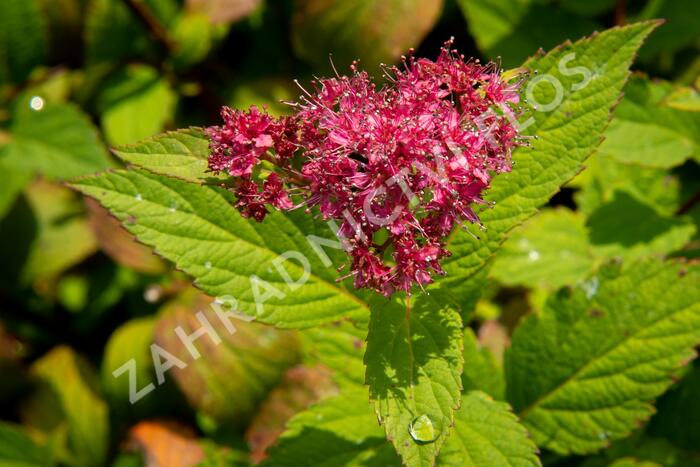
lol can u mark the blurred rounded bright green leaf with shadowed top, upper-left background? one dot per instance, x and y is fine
(134, 104)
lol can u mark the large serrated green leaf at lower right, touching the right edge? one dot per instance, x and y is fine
(584, 370)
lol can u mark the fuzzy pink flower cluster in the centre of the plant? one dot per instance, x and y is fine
(397, 166)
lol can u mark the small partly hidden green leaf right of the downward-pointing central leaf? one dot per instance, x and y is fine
(481, 370)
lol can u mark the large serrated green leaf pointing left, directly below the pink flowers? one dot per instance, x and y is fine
(199, 230)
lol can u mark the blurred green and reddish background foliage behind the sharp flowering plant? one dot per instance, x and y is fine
(79, 297)
